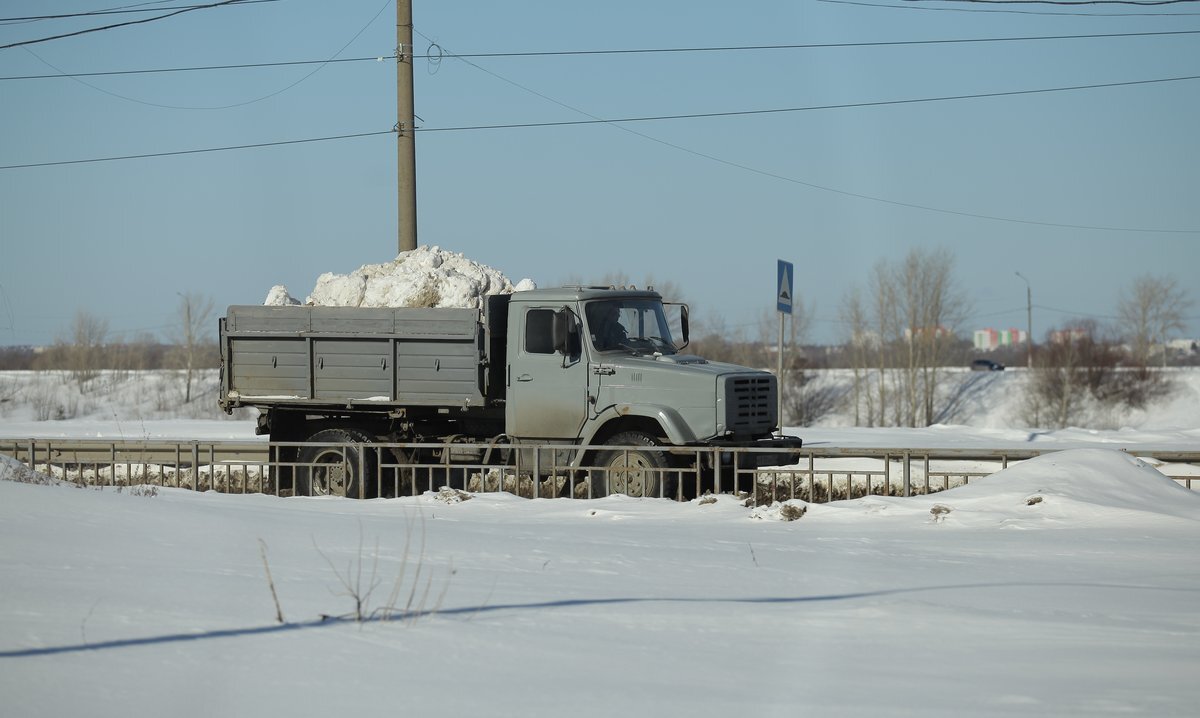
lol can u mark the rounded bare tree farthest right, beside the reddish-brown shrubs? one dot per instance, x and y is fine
(1149, 313)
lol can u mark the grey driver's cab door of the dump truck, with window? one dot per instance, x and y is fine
(547, 390)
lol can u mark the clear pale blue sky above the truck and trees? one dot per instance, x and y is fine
(1081, 192)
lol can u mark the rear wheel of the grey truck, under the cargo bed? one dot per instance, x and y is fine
(328, 470)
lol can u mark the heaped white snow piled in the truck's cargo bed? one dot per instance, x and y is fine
(425, 277)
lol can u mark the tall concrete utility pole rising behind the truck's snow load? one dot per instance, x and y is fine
(406, 128)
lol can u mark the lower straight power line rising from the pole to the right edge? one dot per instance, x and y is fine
(807, 109)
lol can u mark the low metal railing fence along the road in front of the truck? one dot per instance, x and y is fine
(820, 475)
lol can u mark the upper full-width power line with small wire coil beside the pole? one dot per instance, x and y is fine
(616, 52)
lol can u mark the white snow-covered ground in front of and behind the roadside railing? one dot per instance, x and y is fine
(1067, 585)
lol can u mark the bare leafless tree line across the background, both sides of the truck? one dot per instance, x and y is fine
(902, 334)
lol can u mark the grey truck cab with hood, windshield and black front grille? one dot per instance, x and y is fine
(589, 364)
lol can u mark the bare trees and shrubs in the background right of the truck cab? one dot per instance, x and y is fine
(903, 331)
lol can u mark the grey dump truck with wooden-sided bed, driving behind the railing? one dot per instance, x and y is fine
(593, 374)
